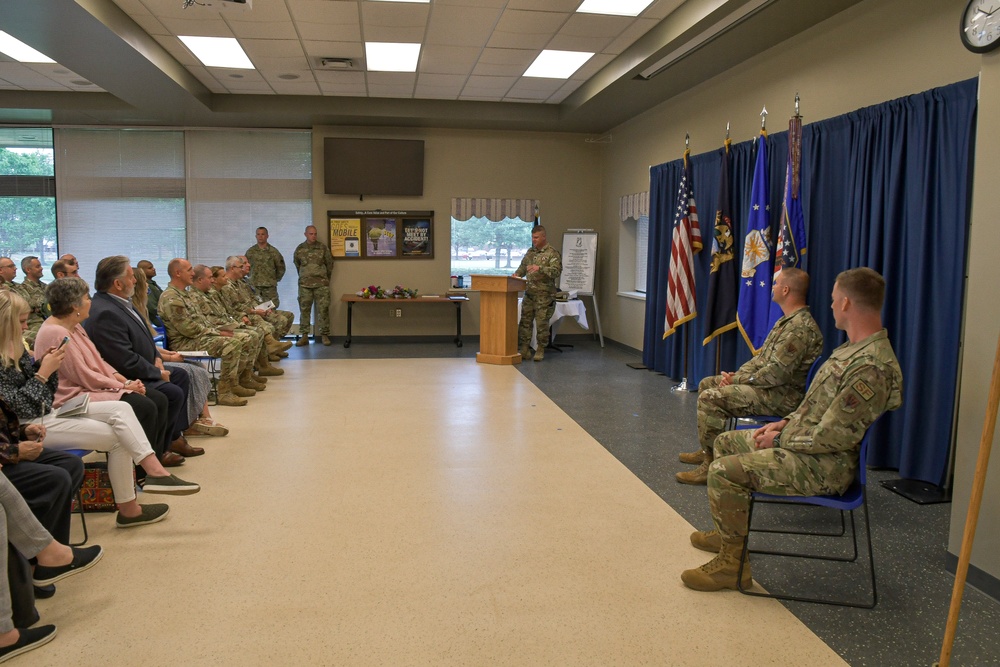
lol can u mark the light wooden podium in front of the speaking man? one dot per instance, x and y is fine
(498, 318)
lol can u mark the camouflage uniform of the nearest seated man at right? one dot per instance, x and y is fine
(818, 448)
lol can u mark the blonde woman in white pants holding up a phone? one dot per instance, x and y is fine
(30, 386)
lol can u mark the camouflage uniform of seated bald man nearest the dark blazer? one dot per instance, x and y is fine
(187, 329)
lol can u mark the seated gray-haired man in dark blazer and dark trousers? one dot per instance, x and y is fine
(123, 338)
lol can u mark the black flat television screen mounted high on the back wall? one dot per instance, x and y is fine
(373, 166)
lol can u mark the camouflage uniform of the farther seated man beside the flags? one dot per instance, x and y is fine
(772, 383)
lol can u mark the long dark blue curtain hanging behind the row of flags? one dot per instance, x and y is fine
(887, 187)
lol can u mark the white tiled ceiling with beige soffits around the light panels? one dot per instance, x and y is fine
(127, 56)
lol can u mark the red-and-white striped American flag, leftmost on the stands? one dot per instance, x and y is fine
(685, 242)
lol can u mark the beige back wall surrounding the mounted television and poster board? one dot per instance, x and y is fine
(561, 170)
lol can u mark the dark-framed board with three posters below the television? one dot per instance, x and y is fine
(381, 234)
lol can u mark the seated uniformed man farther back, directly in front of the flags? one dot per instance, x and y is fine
(771, 383)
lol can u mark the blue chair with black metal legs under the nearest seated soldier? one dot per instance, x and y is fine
(855, 497)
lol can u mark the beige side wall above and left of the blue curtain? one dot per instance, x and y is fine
(875, 51)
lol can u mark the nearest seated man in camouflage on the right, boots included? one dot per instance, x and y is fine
(815, 449)
